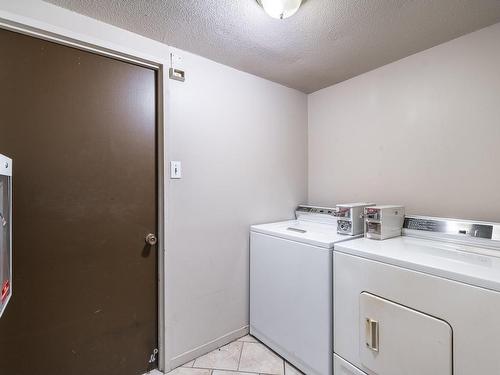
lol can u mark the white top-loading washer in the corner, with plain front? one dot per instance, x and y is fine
(291, 287)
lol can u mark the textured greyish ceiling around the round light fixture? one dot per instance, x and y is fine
(326, 42)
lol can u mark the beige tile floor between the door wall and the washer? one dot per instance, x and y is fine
(245, 356)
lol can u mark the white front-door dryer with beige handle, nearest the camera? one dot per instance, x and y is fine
(426, 303)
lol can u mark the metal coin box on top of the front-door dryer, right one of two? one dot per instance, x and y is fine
(382, 222)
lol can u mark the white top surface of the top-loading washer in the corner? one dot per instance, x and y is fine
(308, 232)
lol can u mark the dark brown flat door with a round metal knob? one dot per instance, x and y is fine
(81, 129)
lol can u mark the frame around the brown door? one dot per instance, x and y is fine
(158, 62)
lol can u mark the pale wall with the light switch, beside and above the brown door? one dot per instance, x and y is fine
(242, 141)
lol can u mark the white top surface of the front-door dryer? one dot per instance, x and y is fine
(471, 265)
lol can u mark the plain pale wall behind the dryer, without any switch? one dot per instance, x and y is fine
(423, 132)
